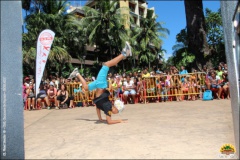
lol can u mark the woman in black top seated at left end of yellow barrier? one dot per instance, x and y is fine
(63, 98)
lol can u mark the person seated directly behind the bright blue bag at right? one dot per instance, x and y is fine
(215, 84)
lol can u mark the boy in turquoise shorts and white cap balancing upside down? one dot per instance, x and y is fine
(100, 84)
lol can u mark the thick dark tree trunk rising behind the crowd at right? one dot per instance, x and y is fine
(196, 30)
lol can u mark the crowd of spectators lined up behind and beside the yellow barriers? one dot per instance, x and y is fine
(128, 86)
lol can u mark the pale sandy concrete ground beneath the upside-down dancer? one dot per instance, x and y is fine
(170, 130)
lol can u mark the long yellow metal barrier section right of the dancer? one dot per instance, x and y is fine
(174, 87)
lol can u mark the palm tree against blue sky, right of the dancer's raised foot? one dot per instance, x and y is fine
(146, 38)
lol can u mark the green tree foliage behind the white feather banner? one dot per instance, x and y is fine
(51, 17)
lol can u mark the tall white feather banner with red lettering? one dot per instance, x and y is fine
(44, 43)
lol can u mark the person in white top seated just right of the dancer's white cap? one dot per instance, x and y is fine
(129, 89)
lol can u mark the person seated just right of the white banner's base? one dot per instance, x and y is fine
(42, 95)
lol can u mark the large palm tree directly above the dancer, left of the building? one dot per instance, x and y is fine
(103, 26)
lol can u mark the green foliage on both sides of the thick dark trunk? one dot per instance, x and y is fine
(181, 55)
